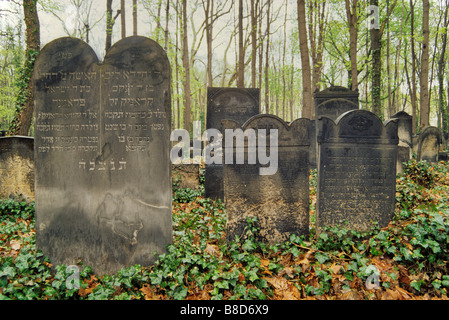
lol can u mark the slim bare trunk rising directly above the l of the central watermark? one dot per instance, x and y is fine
(186, 65)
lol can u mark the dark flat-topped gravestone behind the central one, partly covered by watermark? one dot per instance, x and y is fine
(238, 104)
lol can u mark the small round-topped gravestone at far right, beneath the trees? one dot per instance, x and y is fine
(429, 142)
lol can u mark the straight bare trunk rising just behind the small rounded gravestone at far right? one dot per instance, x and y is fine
(424, 79)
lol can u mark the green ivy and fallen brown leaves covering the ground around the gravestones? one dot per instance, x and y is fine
(405, 260)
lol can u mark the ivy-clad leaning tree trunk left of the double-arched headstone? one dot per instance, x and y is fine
(21, 123)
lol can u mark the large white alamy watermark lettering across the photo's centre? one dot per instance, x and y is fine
(255, 141)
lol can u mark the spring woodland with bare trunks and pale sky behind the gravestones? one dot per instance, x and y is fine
(288, 49)
